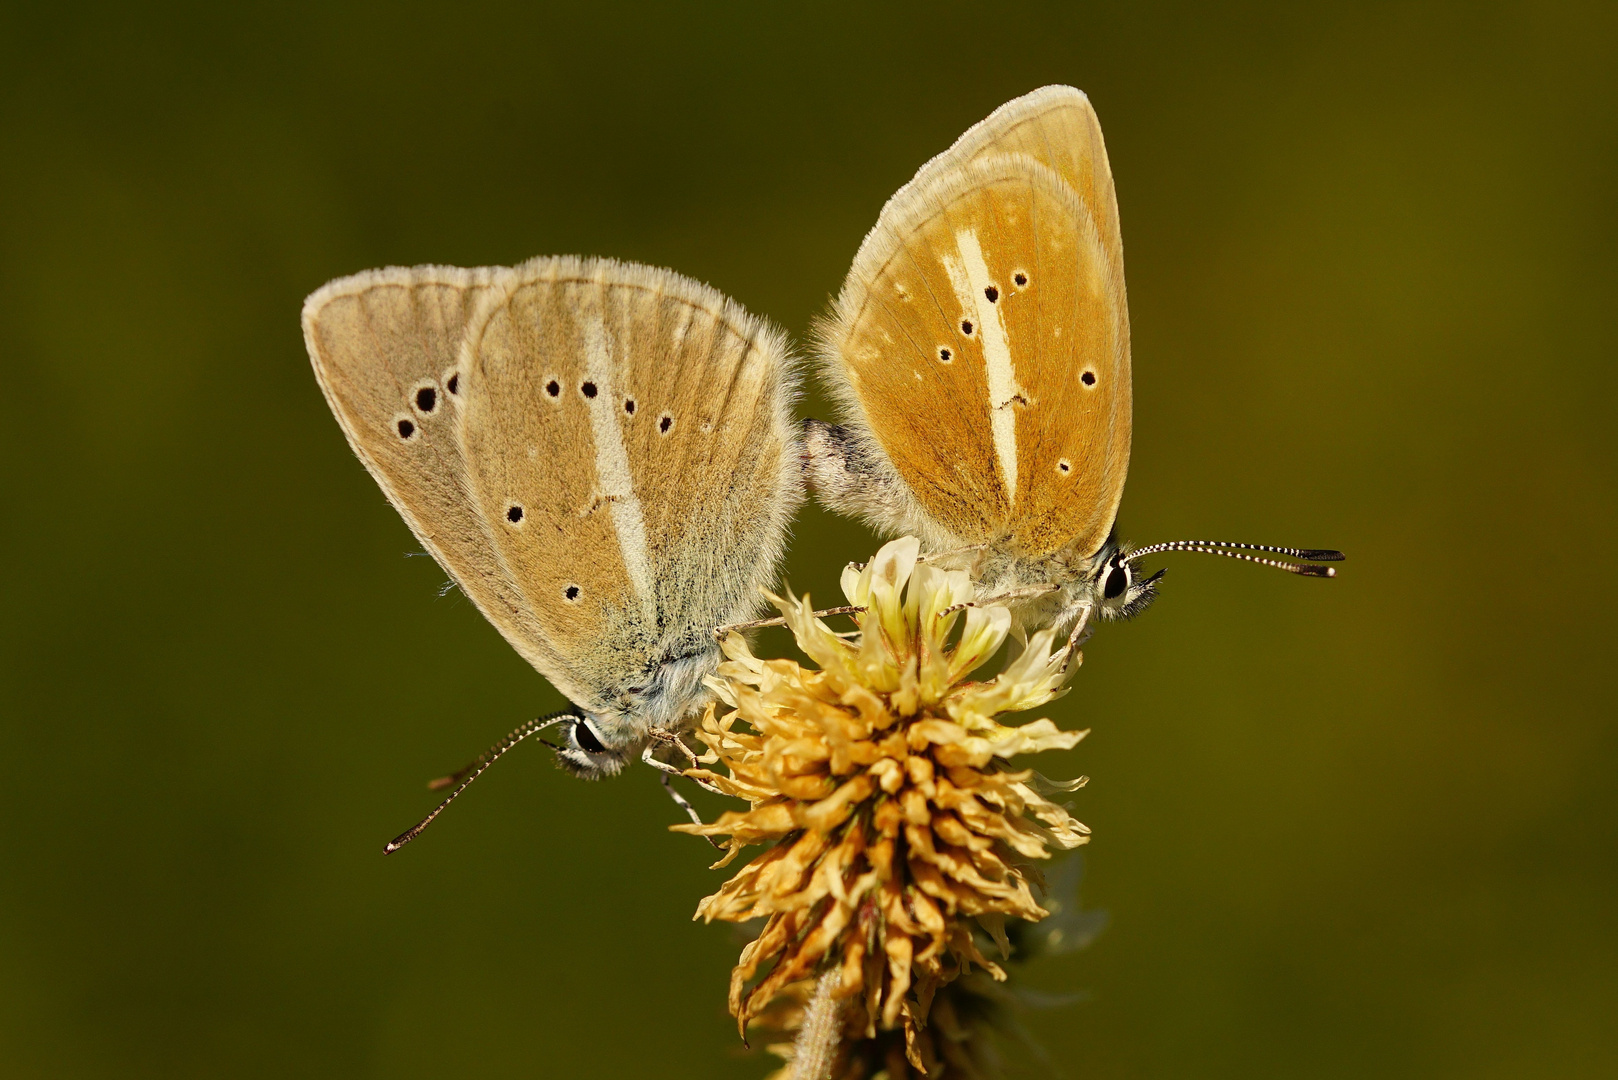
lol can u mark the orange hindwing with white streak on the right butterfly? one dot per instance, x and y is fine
(967, 330)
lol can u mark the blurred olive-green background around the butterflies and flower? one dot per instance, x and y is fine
(1344, 830)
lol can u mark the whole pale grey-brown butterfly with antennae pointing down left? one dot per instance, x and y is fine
(599, 454)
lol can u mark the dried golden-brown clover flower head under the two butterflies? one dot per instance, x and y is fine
(899, 835)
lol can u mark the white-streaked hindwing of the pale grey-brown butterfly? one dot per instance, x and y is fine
(627, 436)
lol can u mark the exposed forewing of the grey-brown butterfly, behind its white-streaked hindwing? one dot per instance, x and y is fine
(384, 346)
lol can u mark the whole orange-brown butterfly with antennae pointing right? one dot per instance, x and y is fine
(980, 354)
